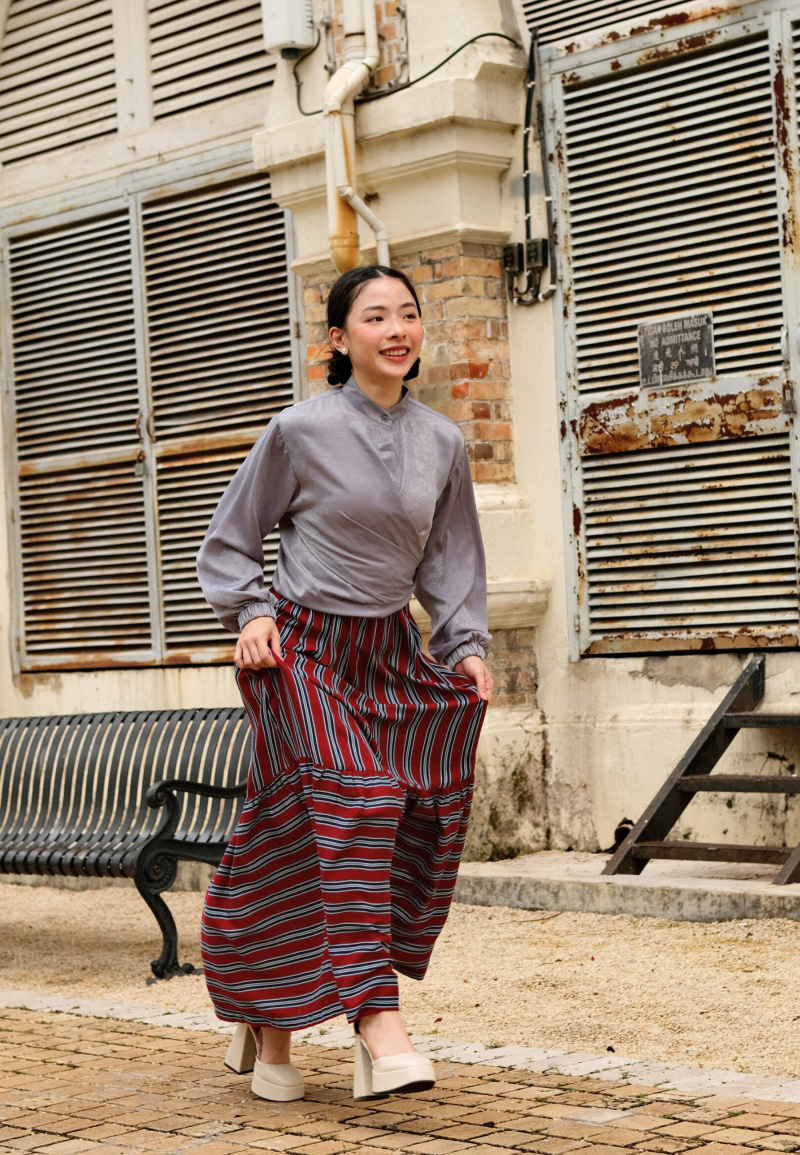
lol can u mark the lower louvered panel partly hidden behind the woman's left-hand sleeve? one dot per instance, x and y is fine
(190, 489)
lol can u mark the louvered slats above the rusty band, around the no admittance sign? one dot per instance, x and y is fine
(672, 206)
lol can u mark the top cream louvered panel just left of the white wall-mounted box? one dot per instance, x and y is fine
(206, 50)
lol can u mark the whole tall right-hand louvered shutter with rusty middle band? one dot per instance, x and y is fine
(684, 495)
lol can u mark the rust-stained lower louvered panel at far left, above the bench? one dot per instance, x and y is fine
(85, 563)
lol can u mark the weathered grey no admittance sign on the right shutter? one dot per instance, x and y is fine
(677, 348)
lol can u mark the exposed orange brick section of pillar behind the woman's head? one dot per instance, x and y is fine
(465, 370)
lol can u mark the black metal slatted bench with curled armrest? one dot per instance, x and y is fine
(123, 795)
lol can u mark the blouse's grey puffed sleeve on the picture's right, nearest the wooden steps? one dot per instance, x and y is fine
(451, 580)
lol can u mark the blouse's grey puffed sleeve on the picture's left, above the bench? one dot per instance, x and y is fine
(231, 560)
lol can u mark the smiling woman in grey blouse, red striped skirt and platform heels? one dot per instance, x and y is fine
(342, 868)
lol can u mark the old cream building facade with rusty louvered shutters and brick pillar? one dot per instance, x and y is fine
(166, 265)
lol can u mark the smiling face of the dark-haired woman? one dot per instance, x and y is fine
(384, 332)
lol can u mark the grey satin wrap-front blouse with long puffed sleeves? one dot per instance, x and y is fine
(373, 505)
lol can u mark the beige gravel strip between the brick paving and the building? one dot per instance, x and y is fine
(713, 995)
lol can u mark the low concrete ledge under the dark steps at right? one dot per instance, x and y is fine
(558, 881)
